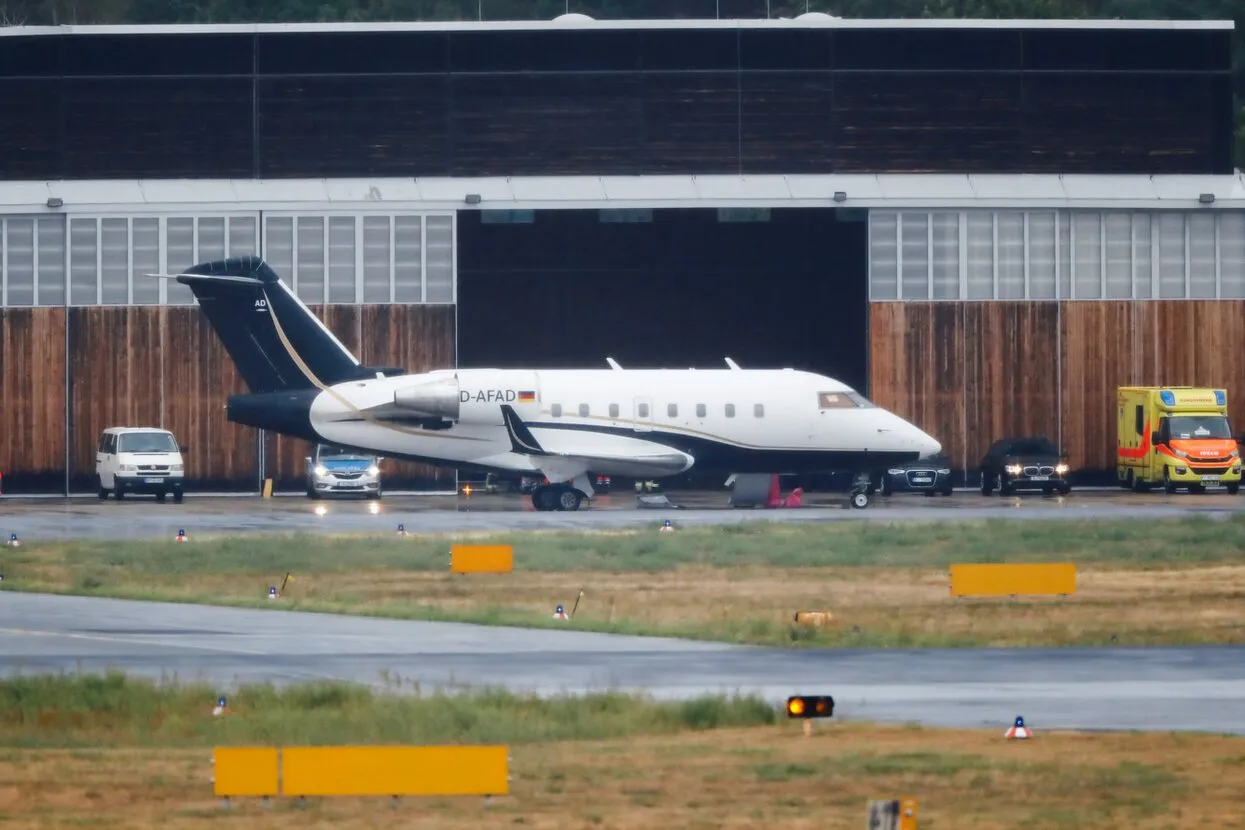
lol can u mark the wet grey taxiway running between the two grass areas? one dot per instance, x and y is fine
(1106, 689)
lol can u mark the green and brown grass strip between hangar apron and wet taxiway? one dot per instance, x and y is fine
(1156, 583)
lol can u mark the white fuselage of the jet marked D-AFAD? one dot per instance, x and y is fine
(627, 422)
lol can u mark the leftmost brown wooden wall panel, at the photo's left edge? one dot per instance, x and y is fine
(33, 400)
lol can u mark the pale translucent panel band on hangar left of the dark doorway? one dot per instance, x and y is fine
(88, 259)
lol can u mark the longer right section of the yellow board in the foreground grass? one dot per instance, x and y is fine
(395, 771)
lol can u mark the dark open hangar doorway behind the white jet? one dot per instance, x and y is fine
(667, 289)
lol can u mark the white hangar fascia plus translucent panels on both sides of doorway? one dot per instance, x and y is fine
(933, 237)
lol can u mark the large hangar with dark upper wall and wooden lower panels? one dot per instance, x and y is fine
(984, 226)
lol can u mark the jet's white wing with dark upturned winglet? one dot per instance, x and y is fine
(636, 457)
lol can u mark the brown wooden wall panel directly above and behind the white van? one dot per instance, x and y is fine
(115, 379)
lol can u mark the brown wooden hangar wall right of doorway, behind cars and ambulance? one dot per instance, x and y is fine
(1046, 368)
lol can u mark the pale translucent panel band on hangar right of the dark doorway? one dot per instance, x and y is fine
(1056, 256)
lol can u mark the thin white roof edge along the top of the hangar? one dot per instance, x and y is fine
(581, 22)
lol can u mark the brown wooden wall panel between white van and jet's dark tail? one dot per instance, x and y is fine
(199, 376)
